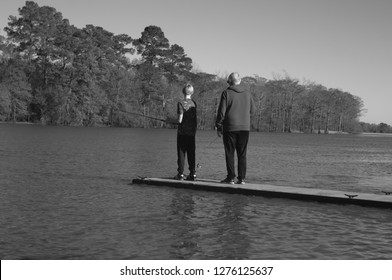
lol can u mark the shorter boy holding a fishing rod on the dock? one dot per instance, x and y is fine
(186, 134)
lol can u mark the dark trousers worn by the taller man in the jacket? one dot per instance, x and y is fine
(236, 141)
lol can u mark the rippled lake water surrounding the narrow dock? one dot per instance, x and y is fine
(65, 194)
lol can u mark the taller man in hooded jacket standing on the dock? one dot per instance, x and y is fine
(233, 121)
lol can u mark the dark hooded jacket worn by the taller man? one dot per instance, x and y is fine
(235, 108)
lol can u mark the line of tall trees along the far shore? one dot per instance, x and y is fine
(52, 72)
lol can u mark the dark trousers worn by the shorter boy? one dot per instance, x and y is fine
(186, 147)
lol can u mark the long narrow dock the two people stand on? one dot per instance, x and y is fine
(383, 199)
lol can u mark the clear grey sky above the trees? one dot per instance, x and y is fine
(344, 44)
